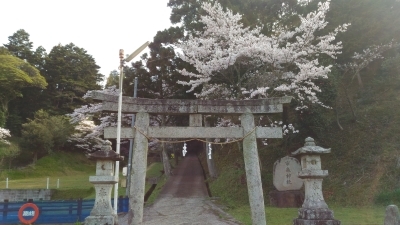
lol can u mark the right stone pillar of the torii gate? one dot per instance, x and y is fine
(253, 175)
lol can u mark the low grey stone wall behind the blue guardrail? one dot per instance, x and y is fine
(14, 195)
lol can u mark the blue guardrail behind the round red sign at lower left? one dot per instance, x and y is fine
(55, 212)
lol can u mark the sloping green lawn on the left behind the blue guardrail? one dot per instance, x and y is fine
(73, 177)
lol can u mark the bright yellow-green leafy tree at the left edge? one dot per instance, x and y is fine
(16, 74)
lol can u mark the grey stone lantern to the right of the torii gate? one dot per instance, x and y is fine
(314, 210)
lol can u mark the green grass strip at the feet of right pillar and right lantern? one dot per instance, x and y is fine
(285, 216)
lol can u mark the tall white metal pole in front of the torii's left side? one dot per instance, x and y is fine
(121, 77)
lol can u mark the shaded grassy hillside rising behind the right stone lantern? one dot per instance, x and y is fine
(364, 163)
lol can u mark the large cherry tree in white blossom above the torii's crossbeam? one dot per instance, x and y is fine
(237, 62)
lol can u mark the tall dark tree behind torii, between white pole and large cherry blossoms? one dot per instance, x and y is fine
(158, 80)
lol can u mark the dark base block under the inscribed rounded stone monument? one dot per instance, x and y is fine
(286, 199)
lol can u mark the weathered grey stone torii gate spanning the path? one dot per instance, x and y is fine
(195, 109)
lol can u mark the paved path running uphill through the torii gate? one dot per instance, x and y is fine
(184, 200)
